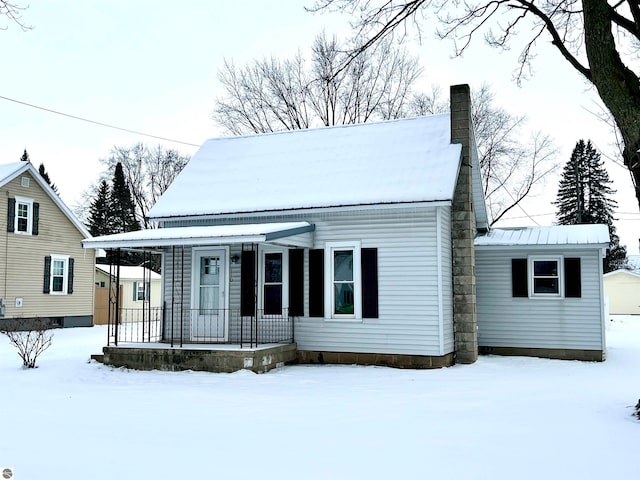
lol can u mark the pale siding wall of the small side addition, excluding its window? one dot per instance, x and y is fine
(564, 323)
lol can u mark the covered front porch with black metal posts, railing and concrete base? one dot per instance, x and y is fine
(223, 292)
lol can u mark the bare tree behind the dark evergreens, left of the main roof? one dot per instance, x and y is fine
(148, 173)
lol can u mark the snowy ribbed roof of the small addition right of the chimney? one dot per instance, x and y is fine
(584, 235)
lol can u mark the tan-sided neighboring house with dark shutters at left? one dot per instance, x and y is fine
(44, 272)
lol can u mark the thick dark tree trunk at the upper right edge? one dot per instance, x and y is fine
(618, 87)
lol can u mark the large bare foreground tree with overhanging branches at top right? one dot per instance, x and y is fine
(598, 38)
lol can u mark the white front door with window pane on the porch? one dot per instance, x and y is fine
(209, 319)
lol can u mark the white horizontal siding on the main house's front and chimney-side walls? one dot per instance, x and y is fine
(409, 303)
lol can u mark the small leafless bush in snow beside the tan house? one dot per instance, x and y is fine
(30, 337)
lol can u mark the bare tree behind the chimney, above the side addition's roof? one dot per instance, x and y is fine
(511, 168)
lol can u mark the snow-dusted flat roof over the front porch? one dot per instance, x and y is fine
(285, 233)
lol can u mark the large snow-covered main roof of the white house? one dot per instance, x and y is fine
(407, 160)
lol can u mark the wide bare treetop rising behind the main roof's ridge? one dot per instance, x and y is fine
(270, 95)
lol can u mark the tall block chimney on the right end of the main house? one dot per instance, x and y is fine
(463, 230)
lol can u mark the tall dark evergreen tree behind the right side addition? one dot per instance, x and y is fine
(584, 197)
